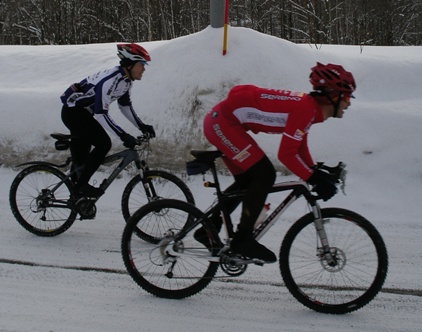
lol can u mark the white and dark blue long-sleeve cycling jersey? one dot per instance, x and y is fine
(96, 92)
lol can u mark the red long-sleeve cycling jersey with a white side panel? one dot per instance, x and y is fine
(275, 112)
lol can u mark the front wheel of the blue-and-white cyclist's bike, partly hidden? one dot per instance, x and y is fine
(165, 185)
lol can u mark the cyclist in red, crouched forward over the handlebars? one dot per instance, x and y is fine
(255, 109)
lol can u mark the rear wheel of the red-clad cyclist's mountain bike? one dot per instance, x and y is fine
(192, 270)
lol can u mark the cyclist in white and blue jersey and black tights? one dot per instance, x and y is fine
(86, 112)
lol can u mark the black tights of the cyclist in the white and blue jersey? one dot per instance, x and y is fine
(89, 133)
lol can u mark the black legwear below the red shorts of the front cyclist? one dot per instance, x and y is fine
(257, 181)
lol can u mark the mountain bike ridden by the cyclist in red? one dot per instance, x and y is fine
(332, 260)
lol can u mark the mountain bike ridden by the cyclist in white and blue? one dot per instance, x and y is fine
(44, 201)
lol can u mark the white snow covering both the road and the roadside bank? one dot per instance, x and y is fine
(77, 281)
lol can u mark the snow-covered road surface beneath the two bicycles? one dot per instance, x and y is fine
(77, 282)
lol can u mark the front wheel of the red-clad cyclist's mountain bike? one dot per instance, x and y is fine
(362, 262)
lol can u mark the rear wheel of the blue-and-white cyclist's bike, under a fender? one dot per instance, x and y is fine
(27, 208)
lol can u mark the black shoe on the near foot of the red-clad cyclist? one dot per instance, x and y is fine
(245, 245)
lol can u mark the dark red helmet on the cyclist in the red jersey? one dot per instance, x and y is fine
(331, 78)
